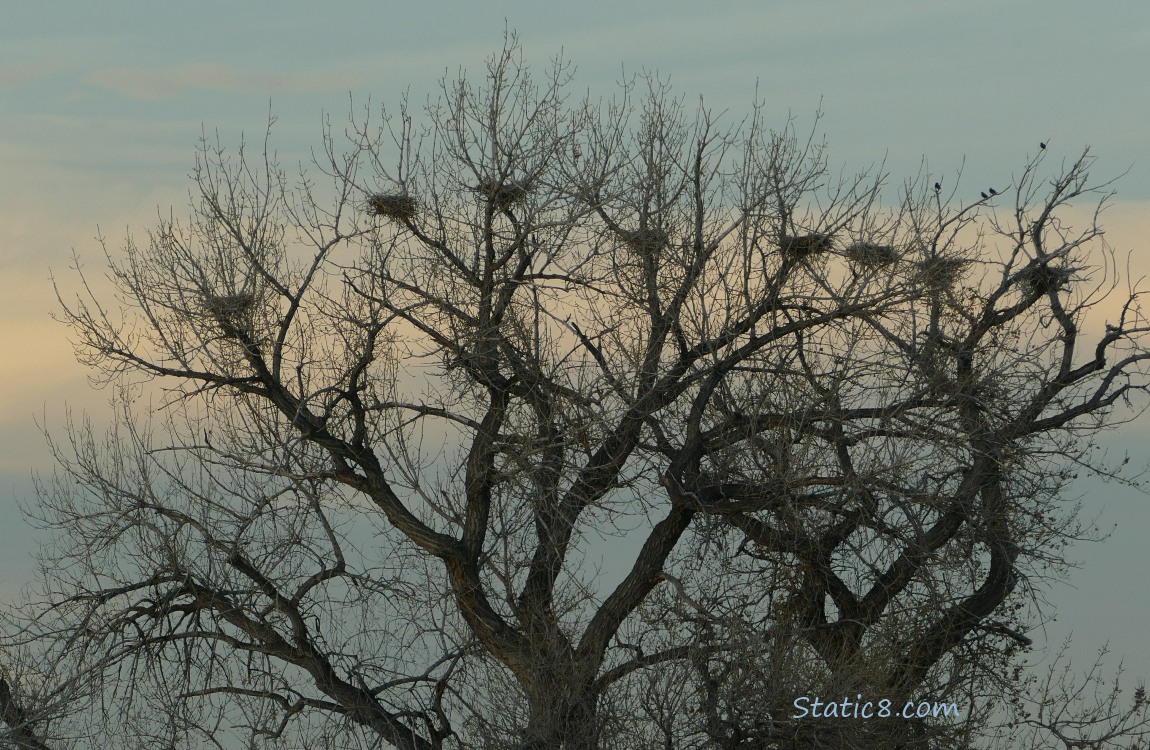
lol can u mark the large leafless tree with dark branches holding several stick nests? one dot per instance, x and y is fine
(408, 400)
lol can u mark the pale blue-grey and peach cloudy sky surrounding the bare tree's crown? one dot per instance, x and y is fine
(102, 106)
